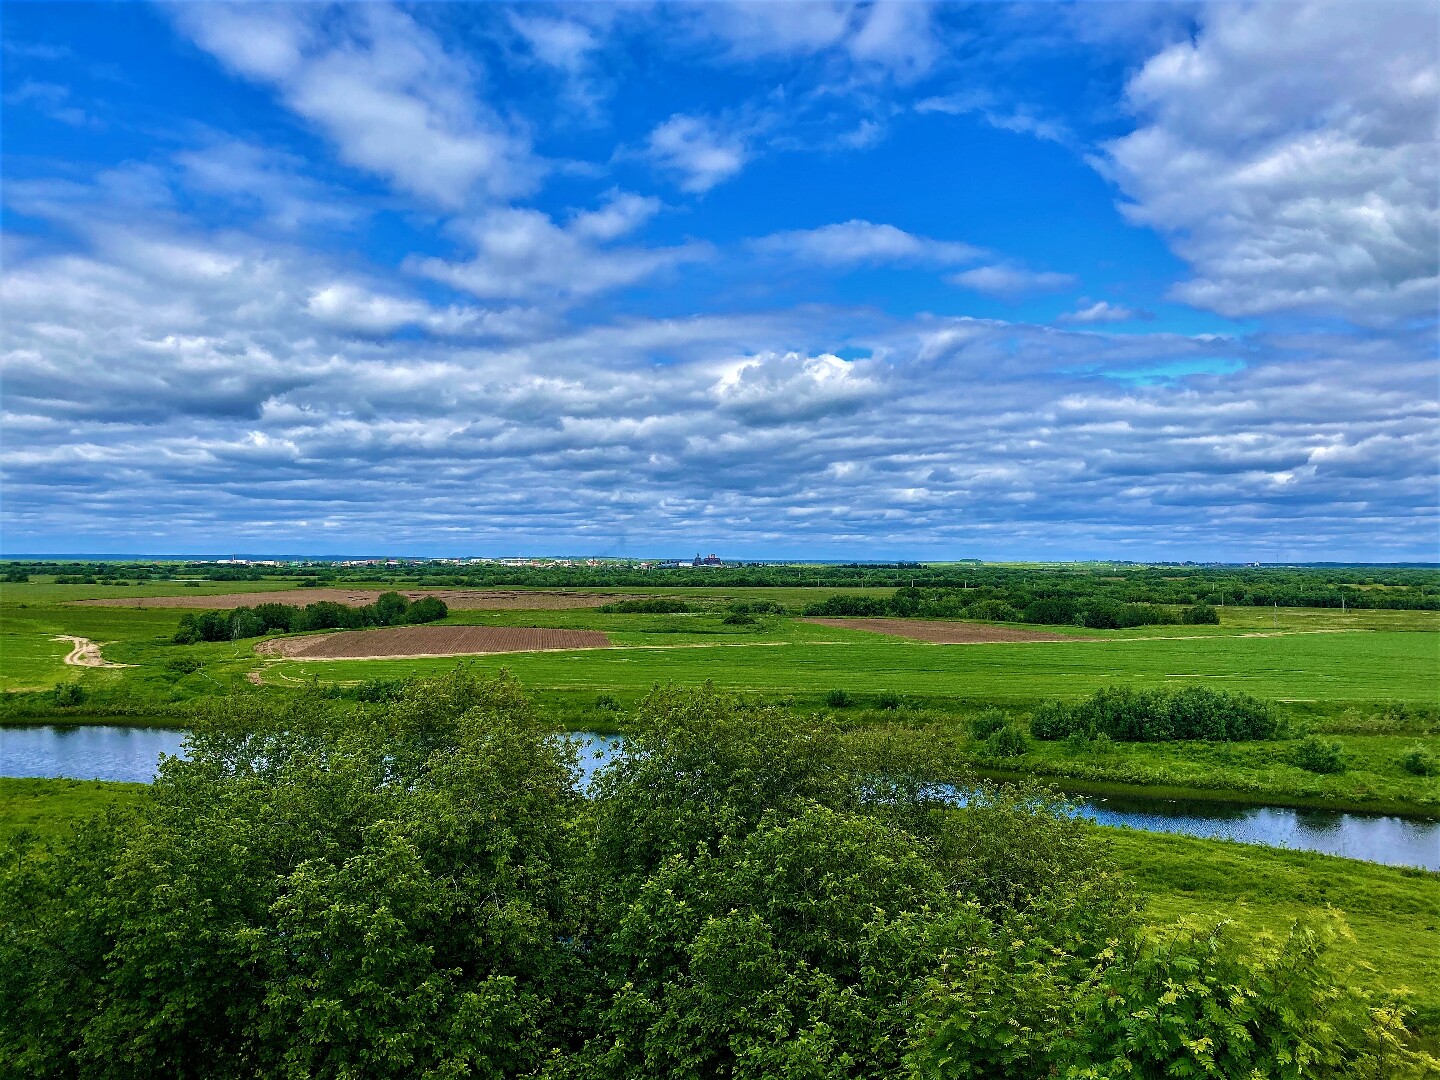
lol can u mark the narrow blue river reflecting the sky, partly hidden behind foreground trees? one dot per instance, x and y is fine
(132, 754)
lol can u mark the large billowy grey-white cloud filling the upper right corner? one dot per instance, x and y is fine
(1290, 153)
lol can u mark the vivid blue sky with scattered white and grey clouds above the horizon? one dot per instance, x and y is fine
(770, 280)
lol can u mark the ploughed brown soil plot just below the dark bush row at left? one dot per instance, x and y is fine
(415, 643)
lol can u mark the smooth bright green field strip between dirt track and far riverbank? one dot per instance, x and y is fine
(1288, 666)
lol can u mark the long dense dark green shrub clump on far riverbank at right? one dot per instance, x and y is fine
(1157, 716)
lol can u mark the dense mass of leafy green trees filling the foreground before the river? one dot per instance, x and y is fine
(417, 889)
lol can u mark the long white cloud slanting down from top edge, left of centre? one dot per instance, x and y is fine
(384, 89)
